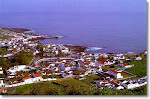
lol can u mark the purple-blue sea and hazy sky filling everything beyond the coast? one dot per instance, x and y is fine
(103, 25)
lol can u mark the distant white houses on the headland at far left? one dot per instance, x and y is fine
(17, 43)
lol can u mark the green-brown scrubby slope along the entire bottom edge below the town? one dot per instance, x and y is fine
(71, 86)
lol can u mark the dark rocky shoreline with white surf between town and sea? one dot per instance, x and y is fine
(73, 48)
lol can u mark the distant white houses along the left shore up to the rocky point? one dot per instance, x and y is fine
(28, 42)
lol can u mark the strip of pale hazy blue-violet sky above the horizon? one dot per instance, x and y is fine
(34, 5)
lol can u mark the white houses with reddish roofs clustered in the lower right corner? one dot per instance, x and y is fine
(121, 84)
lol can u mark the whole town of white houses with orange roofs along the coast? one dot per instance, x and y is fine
(77, 65)
